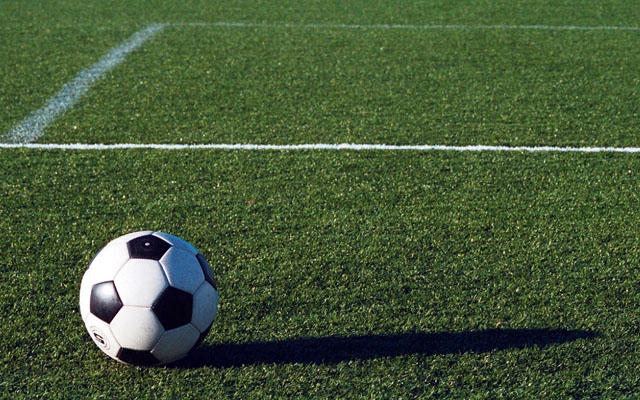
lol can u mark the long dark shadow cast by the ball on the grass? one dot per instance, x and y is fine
(332, 350)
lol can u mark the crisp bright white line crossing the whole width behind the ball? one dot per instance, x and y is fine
(320, 146)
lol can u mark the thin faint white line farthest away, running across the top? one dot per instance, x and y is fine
(410, 27)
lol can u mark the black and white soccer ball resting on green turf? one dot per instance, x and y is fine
(148, 298)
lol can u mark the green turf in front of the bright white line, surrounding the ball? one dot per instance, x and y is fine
(341, 274)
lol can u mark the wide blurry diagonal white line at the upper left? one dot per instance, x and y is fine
(32, 127)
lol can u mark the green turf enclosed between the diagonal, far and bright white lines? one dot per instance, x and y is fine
(282, 85)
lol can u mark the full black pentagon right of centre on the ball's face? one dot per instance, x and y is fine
(173, 308)
